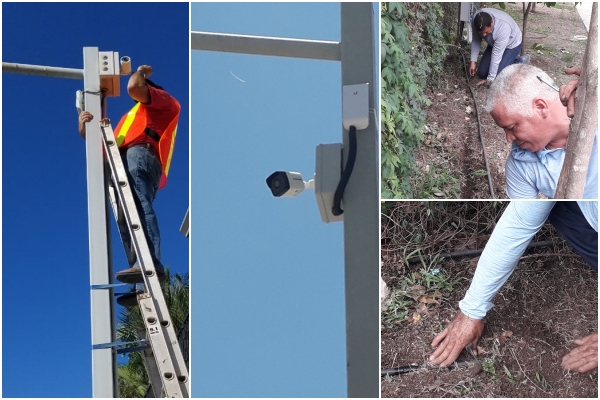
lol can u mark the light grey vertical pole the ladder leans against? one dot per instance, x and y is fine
(104, 382)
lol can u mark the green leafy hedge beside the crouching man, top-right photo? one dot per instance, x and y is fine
(410, 62)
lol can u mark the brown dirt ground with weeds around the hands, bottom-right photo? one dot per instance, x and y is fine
(548, 302)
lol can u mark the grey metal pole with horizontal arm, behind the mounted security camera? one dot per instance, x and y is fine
(361, 198)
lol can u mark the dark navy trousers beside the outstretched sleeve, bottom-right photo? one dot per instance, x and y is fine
(570, 222)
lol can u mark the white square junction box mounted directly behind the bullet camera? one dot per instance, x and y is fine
(328, 172)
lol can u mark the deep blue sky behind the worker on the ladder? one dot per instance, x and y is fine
(46, 342)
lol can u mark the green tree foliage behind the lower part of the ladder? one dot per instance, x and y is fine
(132, 377)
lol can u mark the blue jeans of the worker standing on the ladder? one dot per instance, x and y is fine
(143, 171)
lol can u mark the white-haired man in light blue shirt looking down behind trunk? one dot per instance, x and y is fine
(535, 121)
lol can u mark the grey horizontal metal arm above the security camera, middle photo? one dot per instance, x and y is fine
(267, 46)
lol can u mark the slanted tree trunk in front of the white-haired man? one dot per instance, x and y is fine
(584, 123)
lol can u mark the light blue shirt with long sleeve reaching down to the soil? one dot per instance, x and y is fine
(519, 223)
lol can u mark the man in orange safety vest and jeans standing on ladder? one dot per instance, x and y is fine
(146, 138)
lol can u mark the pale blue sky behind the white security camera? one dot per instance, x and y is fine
(267, 275)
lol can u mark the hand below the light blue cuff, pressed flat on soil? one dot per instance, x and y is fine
(461, 331)
